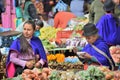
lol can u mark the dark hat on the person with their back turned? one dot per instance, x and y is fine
(109, 5)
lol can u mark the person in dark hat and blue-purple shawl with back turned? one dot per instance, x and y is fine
(109, 25)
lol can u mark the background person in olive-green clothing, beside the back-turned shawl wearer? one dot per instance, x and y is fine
(96, 11)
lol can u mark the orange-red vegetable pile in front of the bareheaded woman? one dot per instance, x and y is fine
(36, 74)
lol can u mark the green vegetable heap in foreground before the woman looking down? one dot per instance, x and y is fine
(92, 73)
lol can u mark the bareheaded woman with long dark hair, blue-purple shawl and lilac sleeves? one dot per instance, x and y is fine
(25, 52)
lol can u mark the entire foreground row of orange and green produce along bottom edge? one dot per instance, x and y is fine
(92, 73)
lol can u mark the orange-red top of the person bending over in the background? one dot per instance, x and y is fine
(62, 18)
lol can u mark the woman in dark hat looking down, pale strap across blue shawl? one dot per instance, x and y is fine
(96, 51)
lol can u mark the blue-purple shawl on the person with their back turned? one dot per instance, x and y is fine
(108, 29)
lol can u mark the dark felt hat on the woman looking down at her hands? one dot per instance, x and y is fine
(89, 29)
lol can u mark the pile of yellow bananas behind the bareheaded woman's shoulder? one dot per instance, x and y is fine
(48, 33)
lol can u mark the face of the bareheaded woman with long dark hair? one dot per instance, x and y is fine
(28, 30)
